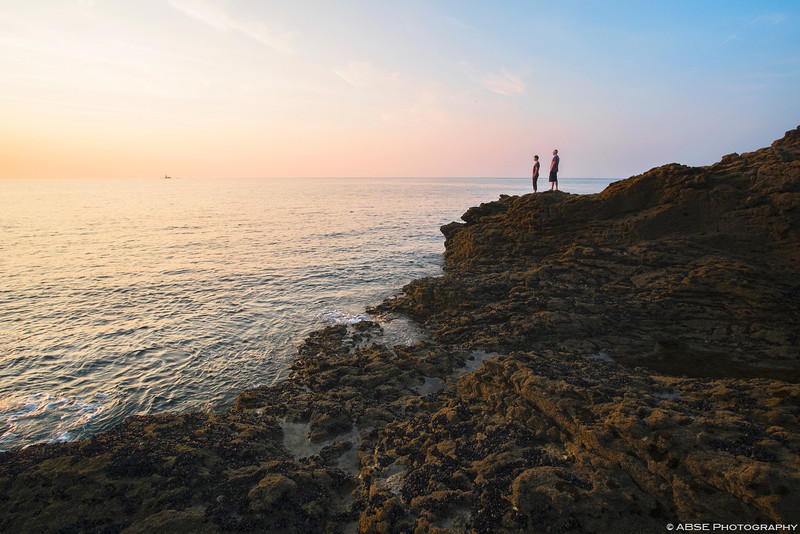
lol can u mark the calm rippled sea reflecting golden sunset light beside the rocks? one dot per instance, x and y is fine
(131, 297)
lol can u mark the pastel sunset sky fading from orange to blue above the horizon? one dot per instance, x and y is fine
(429, 88)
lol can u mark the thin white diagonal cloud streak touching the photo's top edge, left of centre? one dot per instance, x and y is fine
(215, 15)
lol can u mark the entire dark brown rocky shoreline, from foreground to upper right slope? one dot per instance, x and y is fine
(596, 363)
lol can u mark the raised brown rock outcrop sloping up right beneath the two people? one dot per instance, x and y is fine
(688, 270)
